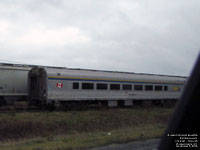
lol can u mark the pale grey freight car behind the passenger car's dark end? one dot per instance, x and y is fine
(13, 83)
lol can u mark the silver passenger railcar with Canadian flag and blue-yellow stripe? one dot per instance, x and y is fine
(58, 86)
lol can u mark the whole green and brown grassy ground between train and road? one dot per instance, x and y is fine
(80, 129)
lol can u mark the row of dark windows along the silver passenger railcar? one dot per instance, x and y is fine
(104, 86)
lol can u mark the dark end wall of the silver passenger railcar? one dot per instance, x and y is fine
(37, 86)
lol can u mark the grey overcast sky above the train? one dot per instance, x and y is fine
(144, 36)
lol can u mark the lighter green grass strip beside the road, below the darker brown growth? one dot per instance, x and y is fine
(84, 140)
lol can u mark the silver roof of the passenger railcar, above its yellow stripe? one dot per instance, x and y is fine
(53, 72)
